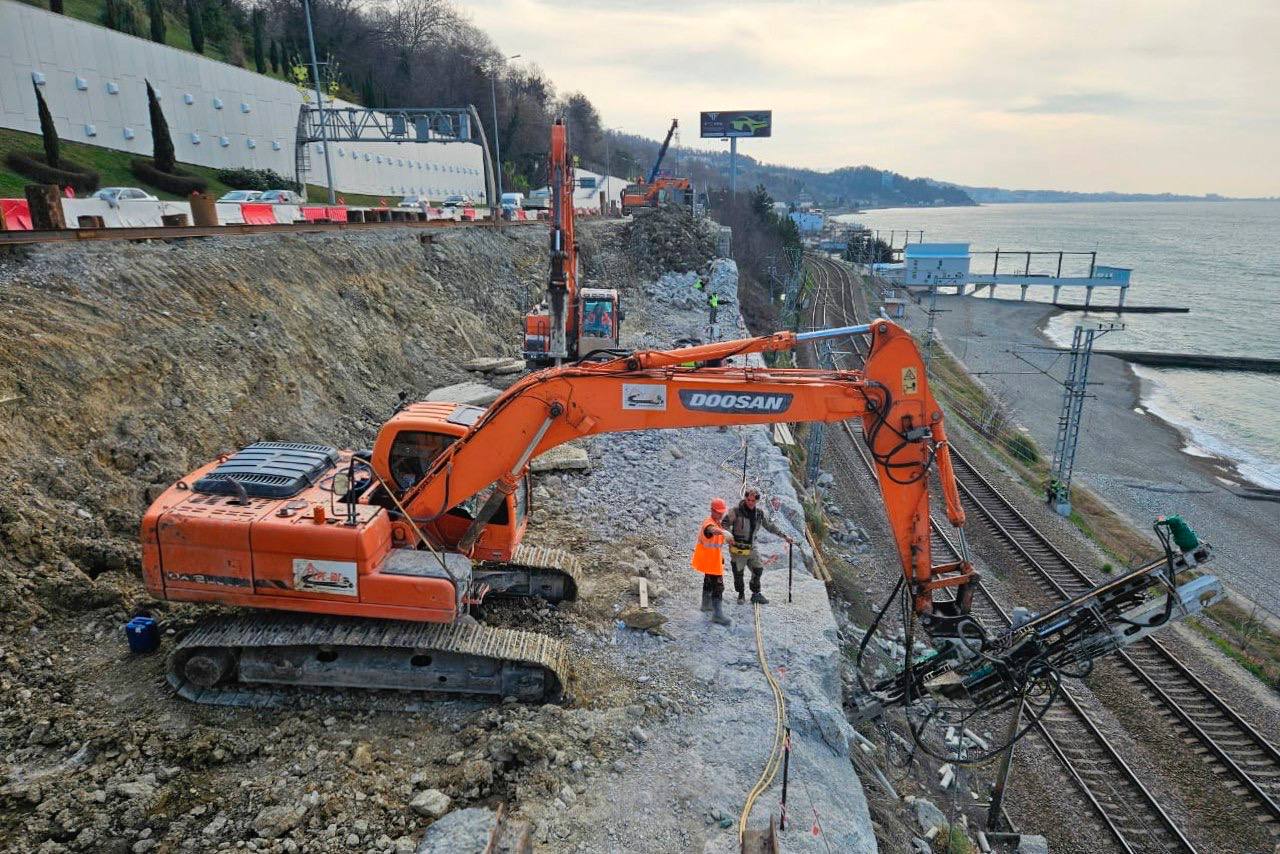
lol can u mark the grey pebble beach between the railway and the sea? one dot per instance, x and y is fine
(1130, 456)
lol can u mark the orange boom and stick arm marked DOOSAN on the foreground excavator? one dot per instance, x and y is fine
(902, 423)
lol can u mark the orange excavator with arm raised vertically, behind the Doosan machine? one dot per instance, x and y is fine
(572, 323)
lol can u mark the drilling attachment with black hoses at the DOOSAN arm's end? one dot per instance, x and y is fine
(980, 670)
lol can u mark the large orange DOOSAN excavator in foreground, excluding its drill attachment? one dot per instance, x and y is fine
(372, 560)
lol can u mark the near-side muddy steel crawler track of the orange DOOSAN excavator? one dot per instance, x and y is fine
(278, 660)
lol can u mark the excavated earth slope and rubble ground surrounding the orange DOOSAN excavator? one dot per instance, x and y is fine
(122, 367)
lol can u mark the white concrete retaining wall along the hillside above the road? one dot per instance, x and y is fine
(220, 116)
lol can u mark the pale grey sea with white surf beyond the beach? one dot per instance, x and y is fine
(1219, 259)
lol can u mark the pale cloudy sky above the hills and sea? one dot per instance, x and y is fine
(1086, 95)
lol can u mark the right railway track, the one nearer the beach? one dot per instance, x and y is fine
(1196, 715)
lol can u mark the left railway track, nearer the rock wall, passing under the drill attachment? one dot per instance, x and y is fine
(1127, 811)
